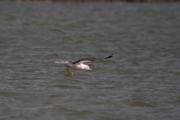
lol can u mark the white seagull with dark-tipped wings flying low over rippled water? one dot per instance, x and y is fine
(81, 63)
